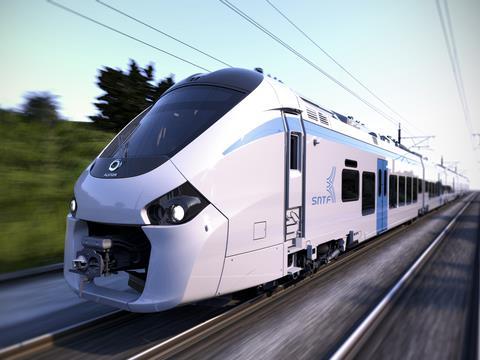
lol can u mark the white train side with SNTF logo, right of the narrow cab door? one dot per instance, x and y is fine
(329, 214)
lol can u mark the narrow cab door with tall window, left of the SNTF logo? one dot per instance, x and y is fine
(294, 177)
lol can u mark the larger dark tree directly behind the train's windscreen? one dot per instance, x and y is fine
(126, 94)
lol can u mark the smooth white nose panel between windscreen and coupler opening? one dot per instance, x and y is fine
(122, 201)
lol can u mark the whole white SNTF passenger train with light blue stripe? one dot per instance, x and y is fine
(232, 180)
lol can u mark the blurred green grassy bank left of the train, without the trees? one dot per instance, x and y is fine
(39, 164)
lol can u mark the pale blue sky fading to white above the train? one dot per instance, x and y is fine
(395, 48)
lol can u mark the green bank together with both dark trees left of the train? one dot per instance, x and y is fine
(43, 153)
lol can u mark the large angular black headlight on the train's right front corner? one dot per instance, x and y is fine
(176, 207)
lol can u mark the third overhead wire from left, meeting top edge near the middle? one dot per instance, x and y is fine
(308, 61)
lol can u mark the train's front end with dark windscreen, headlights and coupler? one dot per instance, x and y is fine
(140, 236)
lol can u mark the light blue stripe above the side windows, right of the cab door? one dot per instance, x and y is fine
(317, 130)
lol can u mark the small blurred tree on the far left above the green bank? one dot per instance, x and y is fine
(41, 106)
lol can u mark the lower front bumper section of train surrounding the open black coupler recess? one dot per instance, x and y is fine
(148, 268)
